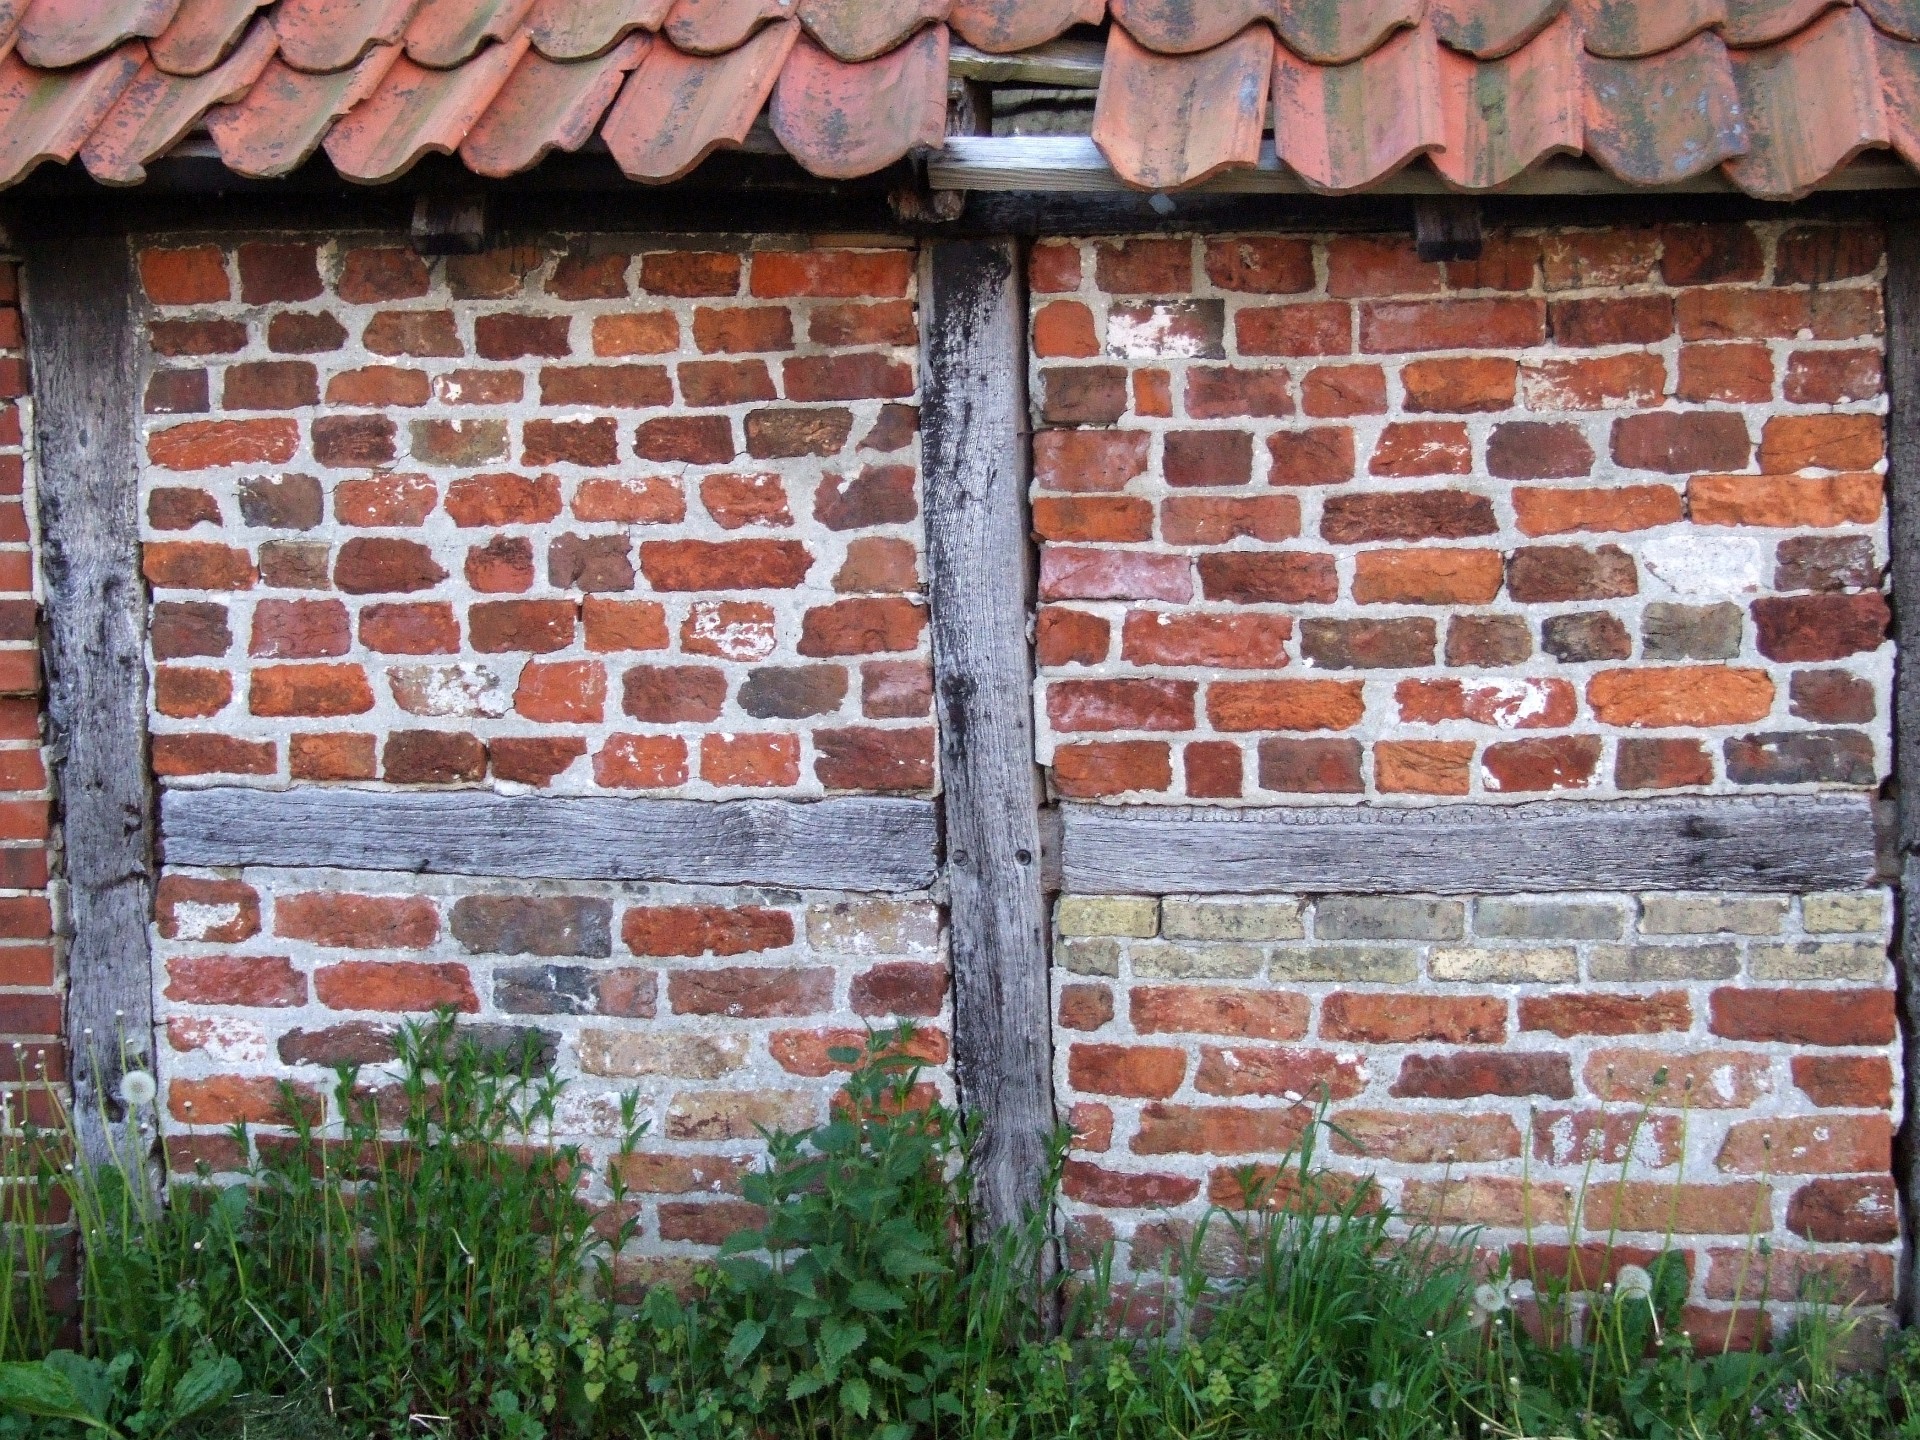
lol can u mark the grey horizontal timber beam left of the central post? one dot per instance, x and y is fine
(853, 844)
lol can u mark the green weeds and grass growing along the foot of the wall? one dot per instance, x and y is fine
(425, 1266)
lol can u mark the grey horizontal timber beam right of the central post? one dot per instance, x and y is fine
(1710, 844)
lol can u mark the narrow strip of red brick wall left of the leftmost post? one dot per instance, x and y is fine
(30, 969)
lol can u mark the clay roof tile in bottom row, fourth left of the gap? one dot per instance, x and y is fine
(418, 110)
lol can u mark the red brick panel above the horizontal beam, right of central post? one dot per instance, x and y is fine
(1600, 512)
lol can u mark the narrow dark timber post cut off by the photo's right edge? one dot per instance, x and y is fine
(1904, 473)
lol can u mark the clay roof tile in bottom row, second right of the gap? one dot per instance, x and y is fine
(1343, 128)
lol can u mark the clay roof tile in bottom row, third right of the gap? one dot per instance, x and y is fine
(1504, 116)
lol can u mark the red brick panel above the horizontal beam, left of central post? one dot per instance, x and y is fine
(552, 517)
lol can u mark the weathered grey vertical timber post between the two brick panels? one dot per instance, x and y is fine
(974, 456)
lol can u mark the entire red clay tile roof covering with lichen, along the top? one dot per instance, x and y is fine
(1775, 93)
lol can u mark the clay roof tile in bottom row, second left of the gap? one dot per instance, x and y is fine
(679, 108)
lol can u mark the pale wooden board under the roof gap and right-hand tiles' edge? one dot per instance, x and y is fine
(1074, 164)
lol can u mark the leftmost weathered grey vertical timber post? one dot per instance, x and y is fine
(85, 360)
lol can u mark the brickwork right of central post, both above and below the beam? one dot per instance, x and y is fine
(1598, 514)
